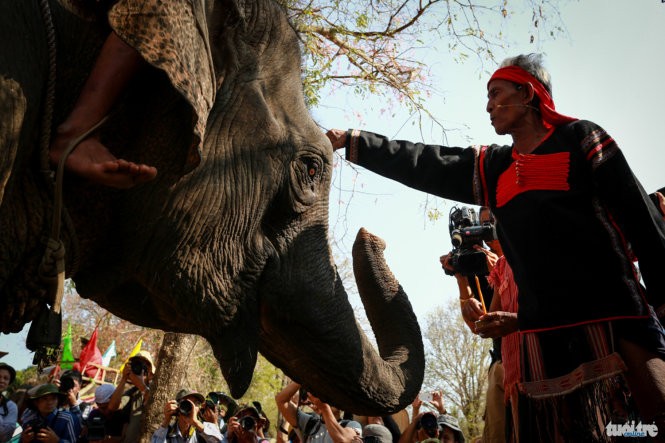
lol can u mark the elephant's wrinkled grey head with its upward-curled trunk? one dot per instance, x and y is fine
(237, 250)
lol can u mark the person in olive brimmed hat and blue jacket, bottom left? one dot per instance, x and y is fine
(44, 422)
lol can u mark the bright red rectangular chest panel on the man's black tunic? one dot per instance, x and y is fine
(531, 172)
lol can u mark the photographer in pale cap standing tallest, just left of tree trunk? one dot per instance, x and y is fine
(138, 372)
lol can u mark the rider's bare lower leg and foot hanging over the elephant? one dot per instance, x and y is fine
(116, 64)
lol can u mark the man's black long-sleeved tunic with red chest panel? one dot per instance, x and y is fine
(570, 215)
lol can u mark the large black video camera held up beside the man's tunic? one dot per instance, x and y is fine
(466, 232)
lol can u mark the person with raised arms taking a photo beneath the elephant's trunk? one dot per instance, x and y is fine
(324, 426)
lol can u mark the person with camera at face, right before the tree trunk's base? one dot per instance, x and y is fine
(182, 424)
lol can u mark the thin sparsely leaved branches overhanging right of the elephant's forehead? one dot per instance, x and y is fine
(375, 47)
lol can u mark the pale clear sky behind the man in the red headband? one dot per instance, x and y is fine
(609, 68)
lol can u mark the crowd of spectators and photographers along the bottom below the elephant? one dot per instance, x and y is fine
(53, 412)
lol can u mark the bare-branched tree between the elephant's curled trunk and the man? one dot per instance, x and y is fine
(456, 362)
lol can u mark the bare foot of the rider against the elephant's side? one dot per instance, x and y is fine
(93, 161)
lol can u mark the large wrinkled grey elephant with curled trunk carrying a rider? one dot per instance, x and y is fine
(236, 250)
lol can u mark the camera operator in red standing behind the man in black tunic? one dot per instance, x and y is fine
(469, 275)
